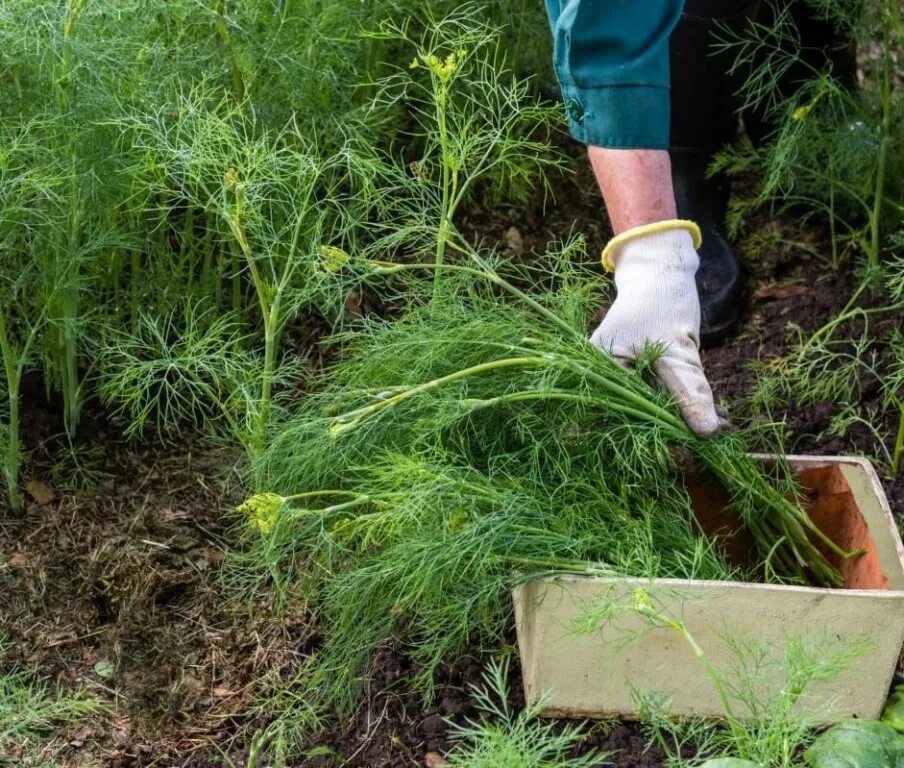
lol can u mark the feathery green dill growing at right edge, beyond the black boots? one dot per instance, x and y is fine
(835, 154)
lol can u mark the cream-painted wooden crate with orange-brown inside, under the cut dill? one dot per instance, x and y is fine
(593, 675)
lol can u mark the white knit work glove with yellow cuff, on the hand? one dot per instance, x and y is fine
(657, 302)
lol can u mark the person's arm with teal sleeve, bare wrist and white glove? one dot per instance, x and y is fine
(612, 63)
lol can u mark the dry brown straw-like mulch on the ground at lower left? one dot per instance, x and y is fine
(115, 589)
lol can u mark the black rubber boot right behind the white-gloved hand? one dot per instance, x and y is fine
(704, 120)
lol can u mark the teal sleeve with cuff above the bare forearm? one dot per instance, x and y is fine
(612, 62)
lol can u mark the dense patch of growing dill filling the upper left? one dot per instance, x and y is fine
(103, 88)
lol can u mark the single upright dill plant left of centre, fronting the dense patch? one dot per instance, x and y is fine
(274, 202)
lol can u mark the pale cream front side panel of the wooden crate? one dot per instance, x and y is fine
(593, 675)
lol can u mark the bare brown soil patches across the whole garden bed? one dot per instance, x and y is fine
(110, 579)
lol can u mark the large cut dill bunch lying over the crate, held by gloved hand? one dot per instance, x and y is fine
(475, 443)
